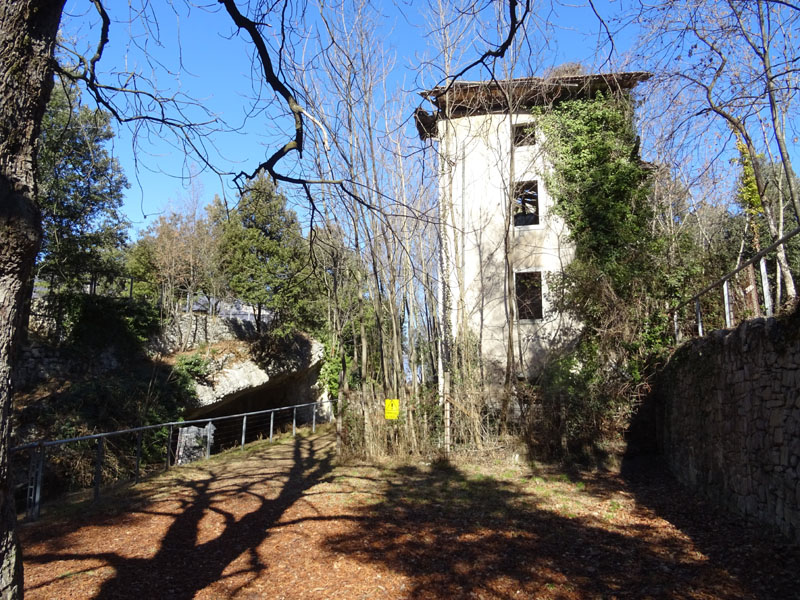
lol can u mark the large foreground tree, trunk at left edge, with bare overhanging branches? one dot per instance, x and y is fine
(28, 37)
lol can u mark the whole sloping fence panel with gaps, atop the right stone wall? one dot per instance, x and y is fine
(751, 298)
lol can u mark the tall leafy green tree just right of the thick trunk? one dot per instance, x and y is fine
(80, 193)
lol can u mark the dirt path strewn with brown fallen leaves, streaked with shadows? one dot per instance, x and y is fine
(282, 521)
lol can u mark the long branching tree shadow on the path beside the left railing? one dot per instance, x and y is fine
(185, 563)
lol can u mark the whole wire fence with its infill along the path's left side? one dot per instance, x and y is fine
(50, 469)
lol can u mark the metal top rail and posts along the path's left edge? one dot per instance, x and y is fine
(219, 433)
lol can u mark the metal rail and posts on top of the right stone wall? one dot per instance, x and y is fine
(724, 282)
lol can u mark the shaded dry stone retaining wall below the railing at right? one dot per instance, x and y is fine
(729, 419)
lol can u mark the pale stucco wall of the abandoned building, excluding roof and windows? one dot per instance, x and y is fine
(475, 178)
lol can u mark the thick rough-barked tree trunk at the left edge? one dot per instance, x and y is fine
(28, 31)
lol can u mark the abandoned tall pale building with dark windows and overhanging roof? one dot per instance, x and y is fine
(499, 235)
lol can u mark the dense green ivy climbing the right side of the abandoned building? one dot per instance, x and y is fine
(617, 286)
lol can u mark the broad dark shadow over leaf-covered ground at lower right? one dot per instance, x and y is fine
(461, 536)
